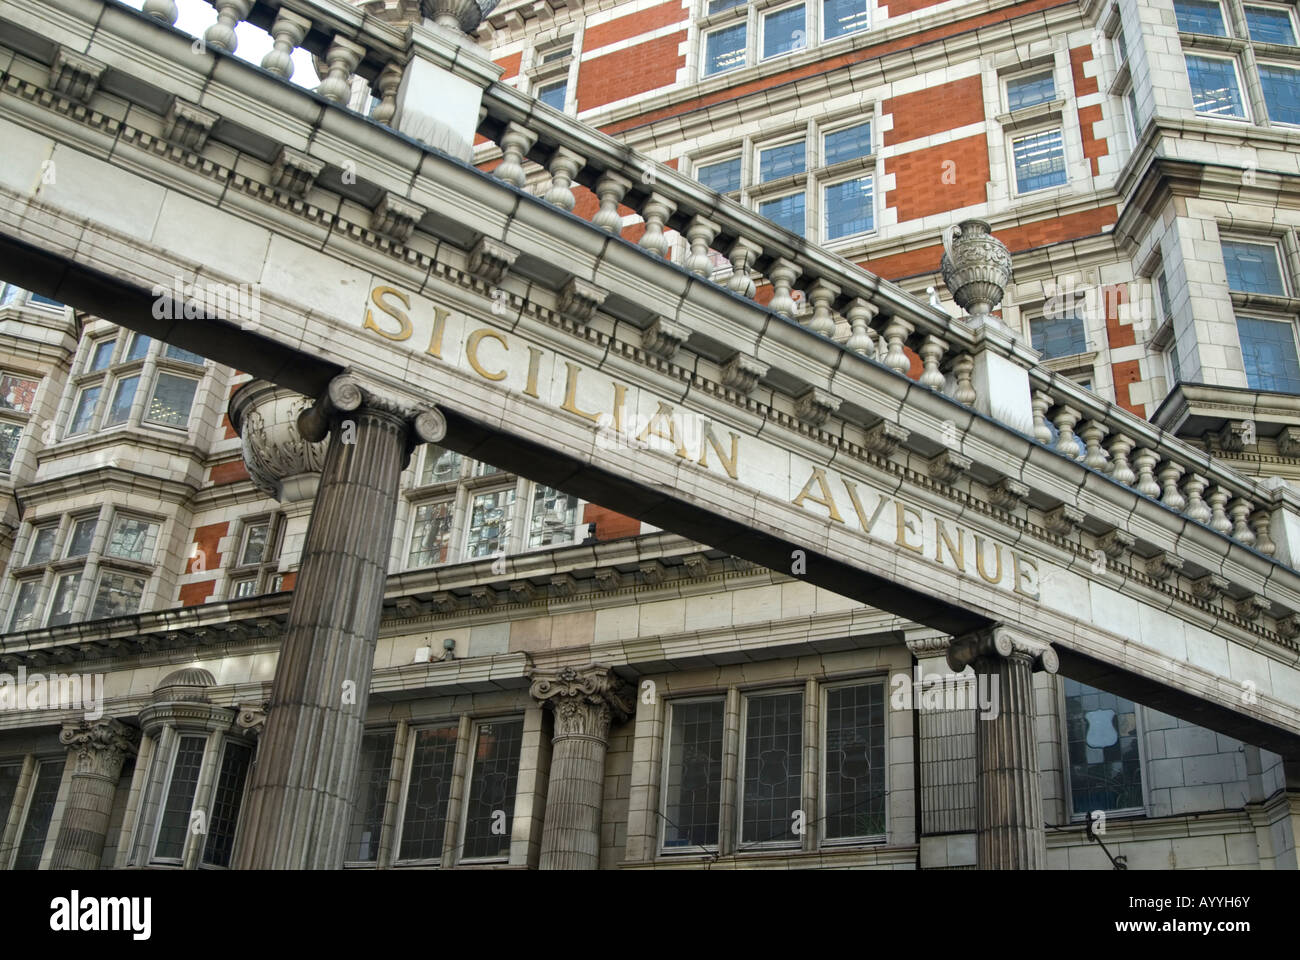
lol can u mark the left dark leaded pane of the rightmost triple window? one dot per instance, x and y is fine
(695, 789)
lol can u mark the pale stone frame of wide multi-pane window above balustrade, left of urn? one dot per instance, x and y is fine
(814, 180)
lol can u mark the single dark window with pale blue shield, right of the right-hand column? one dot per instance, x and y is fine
(1102, 730)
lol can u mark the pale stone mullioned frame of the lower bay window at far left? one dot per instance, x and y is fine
(92, 565)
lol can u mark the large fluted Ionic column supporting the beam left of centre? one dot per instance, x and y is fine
(305, 781)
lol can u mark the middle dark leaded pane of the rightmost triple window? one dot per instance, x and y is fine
(773, 773)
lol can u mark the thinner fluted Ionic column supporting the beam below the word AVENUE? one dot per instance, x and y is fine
(1009, 798)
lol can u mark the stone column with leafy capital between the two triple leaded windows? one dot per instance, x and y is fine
(586, 700)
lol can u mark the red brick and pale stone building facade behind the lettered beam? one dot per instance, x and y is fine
(1139, 162)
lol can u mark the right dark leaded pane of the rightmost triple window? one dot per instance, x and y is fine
(856, 762)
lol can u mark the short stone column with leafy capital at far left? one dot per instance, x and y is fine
(97, 751)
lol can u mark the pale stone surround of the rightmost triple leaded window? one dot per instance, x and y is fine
(734, 742)
